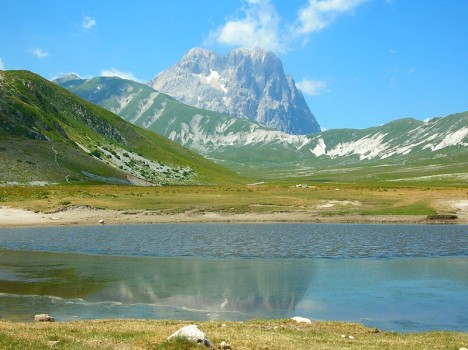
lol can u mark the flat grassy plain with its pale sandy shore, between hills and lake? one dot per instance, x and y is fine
(116, 205)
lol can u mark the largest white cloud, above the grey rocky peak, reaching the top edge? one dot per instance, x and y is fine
(260, 25)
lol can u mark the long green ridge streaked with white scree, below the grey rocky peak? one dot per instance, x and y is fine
(438, 146)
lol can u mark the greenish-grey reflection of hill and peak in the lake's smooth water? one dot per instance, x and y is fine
(207, 288)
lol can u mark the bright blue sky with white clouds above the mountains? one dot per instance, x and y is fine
(359, 63)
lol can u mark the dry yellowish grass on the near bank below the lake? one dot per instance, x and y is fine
(252, 335)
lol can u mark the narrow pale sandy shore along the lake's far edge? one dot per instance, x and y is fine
(12, 217)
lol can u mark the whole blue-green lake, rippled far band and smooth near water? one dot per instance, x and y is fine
(394, 277)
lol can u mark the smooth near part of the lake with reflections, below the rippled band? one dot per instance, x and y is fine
(398, 294)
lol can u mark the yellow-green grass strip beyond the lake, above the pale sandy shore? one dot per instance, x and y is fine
(325, 200)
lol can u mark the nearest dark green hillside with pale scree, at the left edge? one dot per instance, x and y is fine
(48, 135)
